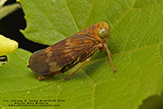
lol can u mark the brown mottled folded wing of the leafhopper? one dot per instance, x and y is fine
(60, 54)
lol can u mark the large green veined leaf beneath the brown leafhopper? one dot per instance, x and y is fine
(136, 44)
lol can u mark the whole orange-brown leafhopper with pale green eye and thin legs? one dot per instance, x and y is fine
(75, 49)
